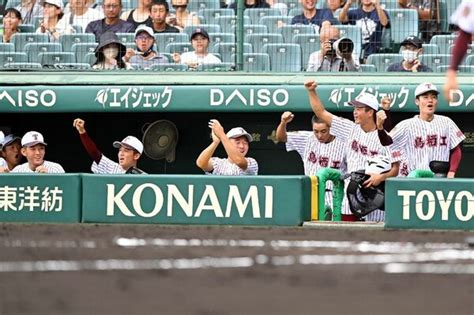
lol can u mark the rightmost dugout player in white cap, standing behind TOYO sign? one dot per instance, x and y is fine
(427, 136)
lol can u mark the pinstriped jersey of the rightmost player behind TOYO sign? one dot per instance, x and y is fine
(425, 141)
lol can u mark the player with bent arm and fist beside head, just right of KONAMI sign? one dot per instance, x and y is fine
(318, 149)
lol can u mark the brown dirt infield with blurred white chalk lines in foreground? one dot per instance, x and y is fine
(155, 269)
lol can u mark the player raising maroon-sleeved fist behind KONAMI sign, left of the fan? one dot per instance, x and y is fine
(130, 151)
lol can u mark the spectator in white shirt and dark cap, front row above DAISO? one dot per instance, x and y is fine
(200, 41)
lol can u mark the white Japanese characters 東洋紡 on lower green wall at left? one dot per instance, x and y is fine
(31, 198)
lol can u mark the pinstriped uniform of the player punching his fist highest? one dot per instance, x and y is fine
(360, 146)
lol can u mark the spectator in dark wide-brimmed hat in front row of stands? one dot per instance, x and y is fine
(110, 52)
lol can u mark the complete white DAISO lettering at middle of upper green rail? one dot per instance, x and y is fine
(249, 97)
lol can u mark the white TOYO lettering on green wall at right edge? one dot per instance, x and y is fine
(425, 204)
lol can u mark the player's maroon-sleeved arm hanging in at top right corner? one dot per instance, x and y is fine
(463, 17)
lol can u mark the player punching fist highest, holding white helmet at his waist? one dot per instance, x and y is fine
(361, 141)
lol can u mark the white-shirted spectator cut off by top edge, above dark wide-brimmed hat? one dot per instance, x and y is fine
(80, 15)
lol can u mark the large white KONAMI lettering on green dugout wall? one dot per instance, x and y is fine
(208, 201)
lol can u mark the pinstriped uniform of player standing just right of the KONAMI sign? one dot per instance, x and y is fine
(316, 155)
